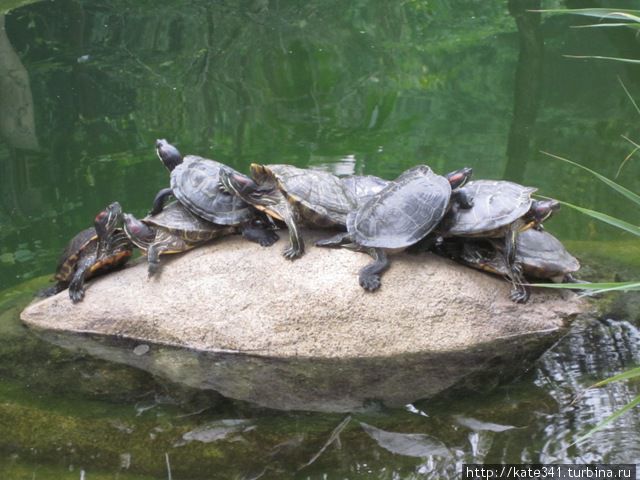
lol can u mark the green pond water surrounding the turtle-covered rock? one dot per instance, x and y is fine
(369, 87)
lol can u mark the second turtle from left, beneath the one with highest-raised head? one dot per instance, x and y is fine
(173, 230)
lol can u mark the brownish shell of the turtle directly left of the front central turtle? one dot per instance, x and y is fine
(320, 197)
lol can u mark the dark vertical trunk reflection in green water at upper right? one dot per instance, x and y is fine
(527, 88)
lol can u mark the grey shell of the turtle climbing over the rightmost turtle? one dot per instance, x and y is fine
(496, 205)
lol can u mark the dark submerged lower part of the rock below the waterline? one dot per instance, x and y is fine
(322, 384)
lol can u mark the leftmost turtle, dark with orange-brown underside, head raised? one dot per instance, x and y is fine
(91, 252)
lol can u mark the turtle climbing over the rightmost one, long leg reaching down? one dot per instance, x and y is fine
(501, 209)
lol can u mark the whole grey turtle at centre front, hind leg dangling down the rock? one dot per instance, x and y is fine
(400, 215)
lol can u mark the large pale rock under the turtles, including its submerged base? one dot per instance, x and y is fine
(242, 320)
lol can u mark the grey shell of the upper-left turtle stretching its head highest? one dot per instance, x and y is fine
(195, 183)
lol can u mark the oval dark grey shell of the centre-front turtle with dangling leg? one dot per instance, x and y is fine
(402, 213)
